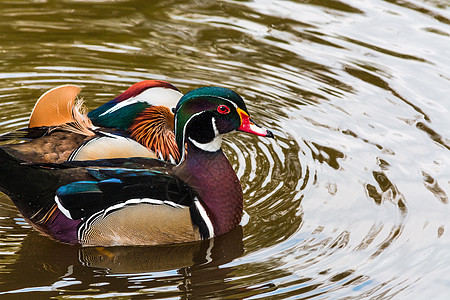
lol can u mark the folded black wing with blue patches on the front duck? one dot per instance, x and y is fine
(81, 199)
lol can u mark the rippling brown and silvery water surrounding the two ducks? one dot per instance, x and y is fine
(349, 201)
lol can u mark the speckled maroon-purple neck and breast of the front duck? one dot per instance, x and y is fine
(215, 181)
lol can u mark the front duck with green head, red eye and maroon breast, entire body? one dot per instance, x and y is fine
(141, 200)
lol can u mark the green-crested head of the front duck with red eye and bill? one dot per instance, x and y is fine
(203, 115)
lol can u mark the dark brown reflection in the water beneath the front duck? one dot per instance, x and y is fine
(186, 268)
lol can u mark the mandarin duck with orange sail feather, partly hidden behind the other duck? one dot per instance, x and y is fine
(137, 123)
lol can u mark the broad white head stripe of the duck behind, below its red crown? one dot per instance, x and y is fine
(152, 96)
